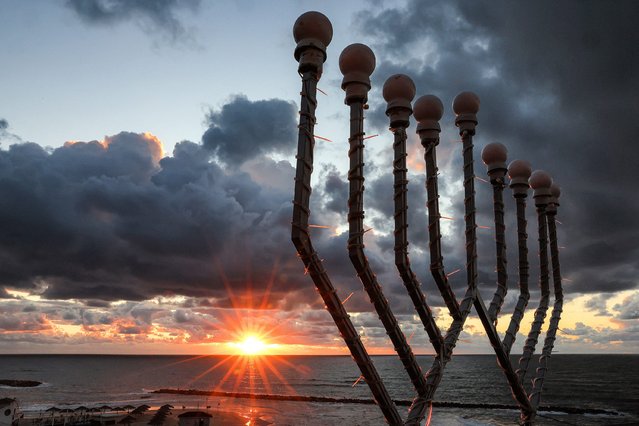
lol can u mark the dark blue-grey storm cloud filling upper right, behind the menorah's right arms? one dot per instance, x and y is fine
(558, 87)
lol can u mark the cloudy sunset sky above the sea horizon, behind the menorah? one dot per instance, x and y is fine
(147, 161)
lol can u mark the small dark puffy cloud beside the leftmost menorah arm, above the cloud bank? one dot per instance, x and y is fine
(242, 129)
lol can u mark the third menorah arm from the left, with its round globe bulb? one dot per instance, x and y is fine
(399, 91)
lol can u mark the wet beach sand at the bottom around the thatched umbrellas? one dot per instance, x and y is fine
(254, 412)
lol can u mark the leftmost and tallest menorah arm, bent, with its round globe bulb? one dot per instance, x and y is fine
(313, 32)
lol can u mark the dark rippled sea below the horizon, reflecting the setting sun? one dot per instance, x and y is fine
(603, 382)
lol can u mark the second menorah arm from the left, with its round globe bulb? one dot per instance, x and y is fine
(357, 63)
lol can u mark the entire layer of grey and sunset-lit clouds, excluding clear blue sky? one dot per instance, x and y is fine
(120, 240)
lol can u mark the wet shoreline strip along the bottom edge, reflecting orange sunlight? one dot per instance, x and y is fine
(232, 409)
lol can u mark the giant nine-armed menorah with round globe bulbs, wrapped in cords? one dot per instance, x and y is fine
(313, 33)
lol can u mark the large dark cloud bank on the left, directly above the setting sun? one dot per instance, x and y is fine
(110, 220)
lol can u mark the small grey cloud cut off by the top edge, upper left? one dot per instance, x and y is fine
(162, 15)
